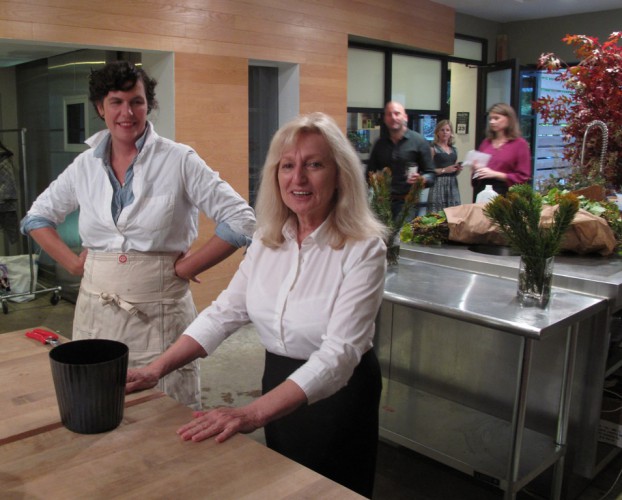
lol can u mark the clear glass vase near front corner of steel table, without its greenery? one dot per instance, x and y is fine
(535, 277)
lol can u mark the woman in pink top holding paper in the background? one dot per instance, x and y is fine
(510, 161)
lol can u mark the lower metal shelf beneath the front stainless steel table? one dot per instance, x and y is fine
(466, 439)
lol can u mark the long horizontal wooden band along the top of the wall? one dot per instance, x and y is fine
(232, 27)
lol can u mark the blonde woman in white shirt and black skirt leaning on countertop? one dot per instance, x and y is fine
(311, 283)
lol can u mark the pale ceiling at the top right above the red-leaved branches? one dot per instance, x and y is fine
(504, 11)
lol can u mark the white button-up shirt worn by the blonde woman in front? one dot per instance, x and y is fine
(311, 303)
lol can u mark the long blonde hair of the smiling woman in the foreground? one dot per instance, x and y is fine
(351, 216)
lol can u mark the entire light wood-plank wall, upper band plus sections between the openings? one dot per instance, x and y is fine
(213, 41)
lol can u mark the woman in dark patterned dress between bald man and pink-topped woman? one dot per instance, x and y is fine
(444, 193)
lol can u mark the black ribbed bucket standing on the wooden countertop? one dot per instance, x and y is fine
(89, 378)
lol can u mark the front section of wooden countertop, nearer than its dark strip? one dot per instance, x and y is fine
(144, 458)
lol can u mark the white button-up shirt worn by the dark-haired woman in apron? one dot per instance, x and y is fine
(171, 185)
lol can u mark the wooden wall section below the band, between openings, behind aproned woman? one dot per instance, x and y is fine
(211, 109)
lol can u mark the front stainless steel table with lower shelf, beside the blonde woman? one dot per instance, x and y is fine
(419, 412)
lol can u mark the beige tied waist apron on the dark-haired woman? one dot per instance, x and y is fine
(137, 299)
